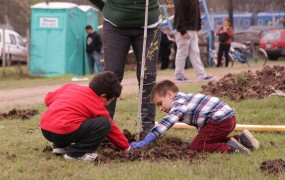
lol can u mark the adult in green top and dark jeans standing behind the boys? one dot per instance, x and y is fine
(123, 27)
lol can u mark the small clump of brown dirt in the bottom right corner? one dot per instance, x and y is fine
(273, 166)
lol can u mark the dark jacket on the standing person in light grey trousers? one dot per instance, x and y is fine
(187, 15)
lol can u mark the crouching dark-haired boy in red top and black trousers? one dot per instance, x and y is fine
(76, 121)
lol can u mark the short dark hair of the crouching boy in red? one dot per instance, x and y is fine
(106, 83)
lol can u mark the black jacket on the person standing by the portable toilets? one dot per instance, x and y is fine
(93, 43)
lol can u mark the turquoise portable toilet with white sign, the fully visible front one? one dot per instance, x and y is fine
(57, 39)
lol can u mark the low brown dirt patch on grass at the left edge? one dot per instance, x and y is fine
(23, 114)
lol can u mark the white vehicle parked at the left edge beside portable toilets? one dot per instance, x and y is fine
(15, 48)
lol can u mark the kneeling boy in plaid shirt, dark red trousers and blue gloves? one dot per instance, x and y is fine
(214, 119)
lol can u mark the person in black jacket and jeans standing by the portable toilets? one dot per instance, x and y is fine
(93, 49)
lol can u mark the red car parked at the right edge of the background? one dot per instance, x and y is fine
(273, 42)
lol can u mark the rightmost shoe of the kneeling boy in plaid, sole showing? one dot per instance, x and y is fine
(248, 140)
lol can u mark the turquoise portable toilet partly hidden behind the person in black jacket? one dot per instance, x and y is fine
(91, 18)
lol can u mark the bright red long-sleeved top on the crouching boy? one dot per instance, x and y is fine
(70, 105)
